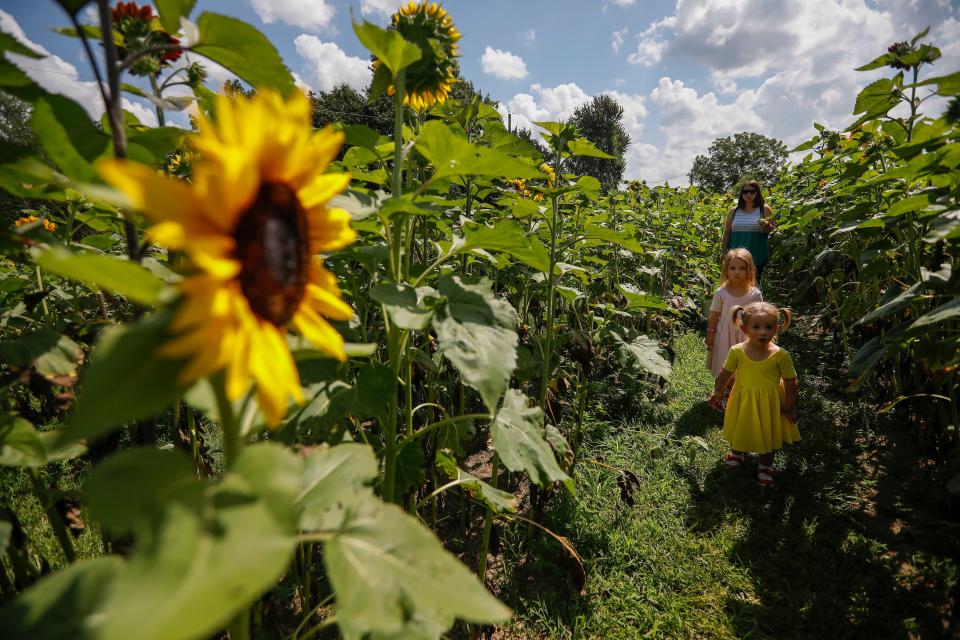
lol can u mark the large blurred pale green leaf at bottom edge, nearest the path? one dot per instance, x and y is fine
(393, 578)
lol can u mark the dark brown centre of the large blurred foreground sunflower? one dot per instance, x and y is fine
(274, 250)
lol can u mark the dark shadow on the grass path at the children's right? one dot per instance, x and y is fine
(815, 548)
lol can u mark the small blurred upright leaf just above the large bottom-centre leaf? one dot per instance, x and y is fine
(334, 480)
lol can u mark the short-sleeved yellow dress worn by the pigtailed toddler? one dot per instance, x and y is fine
(752, 420)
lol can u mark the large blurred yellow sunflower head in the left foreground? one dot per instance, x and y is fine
(251, 221)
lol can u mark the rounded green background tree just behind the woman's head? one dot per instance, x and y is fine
(744, 156)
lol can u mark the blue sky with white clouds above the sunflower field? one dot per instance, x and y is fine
(685, 71)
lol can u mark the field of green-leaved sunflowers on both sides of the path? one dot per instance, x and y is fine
(265, 379)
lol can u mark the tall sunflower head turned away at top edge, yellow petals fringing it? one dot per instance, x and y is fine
(429, 79)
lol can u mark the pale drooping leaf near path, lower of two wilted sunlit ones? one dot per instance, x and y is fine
(520, 440)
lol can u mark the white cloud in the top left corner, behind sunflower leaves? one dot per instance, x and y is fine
(56, 75)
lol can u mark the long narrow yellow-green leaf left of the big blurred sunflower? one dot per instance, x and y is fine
(99, 271)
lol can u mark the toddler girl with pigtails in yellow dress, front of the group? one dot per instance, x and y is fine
(761, 412)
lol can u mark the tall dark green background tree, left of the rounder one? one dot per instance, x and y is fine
(599, 121)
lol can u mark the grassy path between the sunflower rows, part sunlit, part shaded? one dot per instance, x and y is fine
(706, 553)
